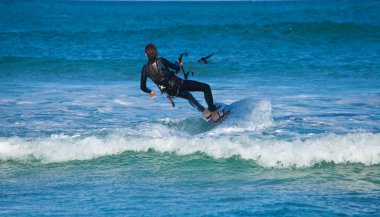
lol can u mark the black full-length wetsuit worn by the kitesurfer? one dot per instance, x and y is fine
(159, 71)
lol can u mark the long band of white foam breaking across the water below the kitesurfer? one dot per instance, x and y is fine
(351, 148)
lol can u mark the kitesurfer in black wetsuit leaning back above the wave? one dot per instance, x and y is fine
(158, 69)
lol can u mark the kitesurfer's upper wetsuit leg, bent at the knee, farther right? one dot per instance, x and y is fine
(189, 85)
